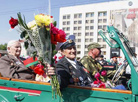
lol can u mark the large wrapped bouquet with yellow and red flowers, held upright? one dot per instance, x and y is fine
(43, 35)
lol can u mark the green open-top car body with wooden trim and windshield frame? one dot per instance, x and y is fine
(14, 90)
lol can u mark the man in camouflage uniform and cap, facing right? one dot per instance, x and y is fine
(94, 50)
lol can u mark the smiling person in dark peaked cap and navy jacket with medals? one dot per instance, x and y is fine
(68, 69)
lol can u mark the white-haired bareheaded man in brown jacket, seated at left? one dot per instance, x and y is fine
(11, 65)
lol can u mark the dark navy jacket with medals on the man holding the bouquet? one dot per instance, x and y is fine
(66, 73)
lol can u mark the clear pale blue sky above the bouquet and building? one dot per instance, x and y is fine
(10, 8)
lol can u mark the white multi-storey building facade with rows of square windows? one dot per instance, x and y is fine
(84, 21)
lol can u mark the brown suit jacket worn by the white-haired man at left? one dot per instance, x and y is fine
(11, 67)
